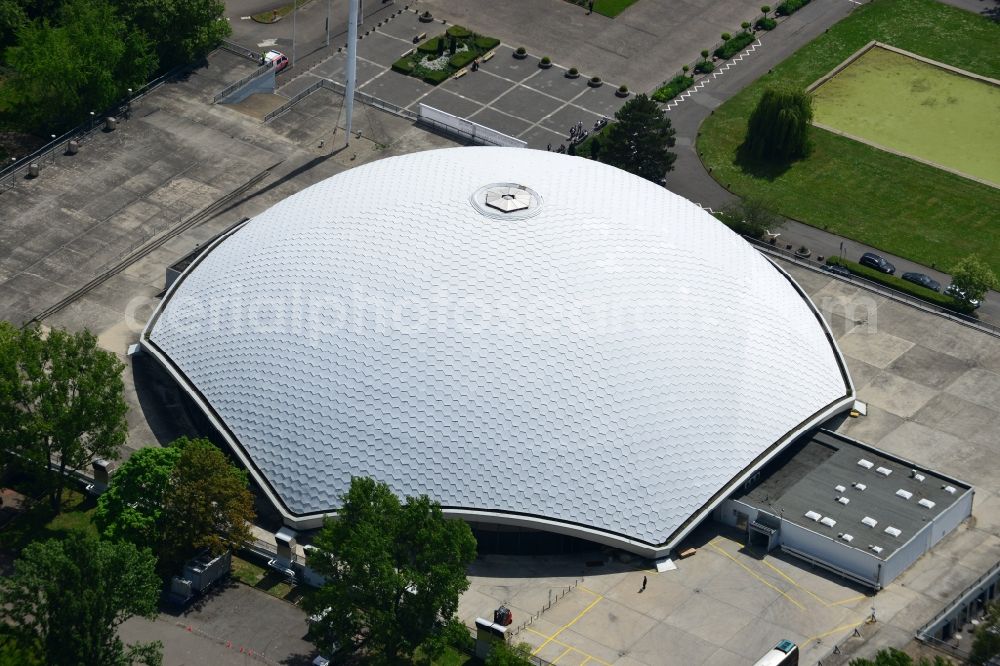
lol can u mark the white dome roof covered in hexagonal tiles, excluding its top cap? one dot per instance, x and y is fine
(611, 362)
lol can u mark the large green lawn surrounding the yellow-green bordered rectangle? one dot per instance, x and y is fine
(890, 202)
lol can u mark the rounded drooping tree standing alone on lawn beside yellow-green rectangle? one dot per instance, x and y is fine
(778, 129)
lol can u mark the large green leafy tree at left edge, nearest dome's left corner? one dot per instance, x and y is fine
(61, 402)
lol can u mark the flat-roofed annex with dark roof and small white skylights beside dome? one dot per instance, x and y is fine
(848, 507)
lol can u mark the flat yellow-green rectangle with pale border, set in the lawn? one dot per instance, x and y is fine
(917, 109)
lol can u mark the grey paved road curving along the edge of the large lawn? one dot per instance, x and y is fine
(691, 180)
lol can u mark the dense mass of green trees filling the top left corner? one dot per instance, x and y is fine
(66, 58)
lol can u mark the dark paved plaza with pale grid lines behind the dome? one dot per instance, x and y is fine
(512, 96)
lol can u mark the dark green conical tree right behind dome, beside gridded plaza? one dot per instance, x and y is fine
(639, 140)
